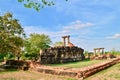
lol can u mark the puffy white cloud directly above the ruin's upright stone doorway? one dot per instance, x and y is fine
(74, 28)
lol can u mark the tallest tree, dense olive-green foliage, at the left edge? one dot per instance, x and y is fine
(11, 34)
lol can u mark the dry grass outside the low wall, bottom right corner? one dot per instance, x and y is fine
(112, 73)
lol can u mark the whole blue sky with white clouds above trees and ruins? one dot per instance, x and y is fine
(90, 23)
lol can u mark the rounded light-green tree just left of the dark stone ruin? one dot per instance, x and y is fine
(35, 43)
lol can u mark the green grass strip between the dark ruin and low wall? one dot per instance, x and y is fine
(79, 64)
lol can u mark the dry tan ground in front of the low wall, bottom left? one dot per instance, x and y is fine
(30, 75)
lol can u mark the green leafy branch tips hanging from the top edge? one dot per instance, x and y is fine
(37, 4)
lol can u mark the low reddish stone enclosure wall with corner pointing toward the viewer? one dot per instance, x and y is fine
(74, 72)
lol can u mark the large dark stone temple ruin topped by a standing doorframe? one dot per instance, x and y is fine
(62, 54)
